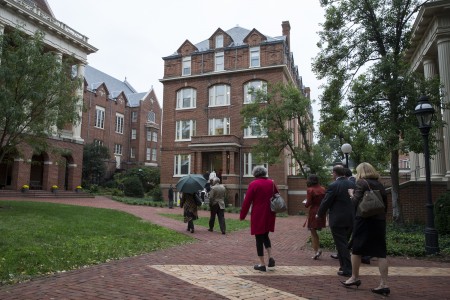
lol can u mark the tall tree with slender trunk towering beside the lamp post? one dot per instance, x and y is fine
(362, 45)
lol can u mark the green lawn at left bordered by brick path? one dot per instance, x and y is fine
(44, 238)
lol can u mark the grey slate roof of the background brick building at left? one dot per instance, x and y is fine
(95, 78)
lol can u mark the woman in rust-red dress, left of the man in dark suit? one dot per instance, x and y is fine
(314, 195)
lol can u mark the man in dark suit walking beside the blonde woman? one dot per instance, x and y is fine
(341, 214)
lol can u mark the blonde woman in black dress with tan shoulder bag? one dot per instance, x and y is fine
(369, 234)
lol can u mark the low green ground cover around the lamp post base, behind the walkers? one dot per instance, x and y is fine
(408, 241)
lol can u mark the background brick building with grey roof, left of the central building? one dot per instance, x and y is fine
(120, 118)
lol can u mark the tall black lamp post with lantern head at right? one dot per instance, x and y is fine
(424, 112)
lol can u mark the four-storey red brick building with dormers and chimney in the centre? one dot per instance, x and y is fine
(205, 87)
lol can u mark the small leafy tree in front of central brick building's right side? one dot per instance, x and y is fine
(273, 109)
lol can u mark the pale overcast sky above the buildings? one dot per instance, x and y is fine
(132, 36)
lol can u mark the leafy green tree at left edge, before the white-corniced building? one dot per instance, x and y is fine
(37, 93)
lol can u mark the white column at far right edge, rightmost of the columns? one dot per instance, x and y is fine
(444, 73)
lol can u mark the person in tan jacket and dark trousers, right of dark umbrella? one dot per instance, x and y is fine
(217, 205)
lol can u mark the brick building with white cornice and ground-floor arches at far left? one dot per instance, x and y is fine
(62, 167)
